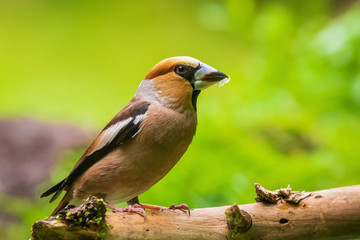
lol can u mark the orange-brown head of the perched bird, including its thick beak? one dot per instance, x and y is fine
(177, 81)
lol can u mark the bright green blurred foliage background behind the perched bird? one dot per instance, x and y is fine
(290, 114)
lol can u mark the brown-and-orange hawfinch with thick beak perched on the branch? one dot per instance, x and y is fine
(144, 141)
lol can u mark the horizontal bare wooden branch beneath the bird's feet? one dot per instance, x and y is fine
(326, 214)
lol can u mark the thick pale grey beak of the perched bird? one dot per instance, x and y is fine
(207, 76)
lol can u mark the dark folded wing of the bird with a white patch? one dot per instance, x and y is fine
(124, 126)
